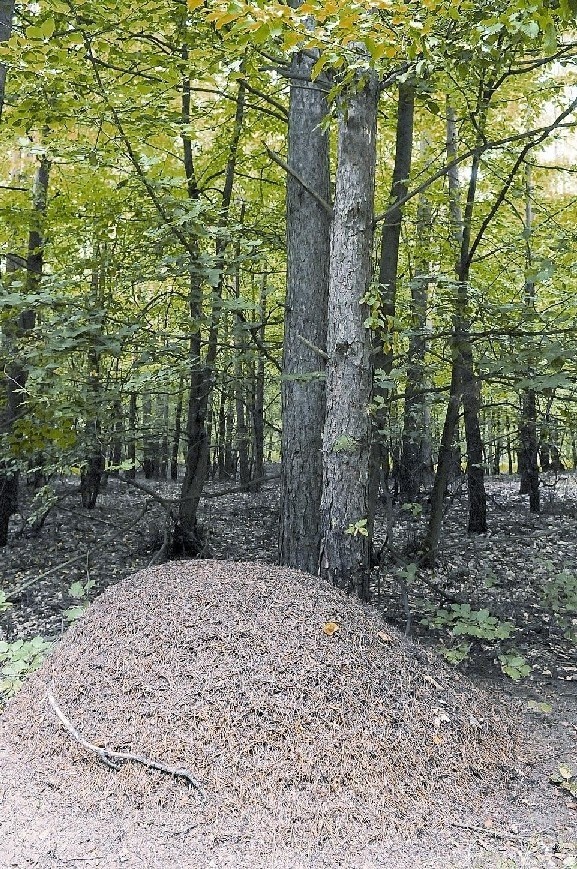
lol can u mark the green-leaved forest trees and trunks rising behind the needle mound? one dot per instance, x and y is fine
(340, 234)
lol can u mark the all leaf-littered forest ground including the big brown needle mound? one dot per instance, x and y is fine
(389, 737)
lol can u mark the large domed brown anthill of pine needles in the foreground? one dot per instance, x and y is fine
(305, 717)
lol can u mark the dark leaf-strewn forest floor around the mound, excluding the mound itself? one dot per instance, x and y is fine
(522, 571)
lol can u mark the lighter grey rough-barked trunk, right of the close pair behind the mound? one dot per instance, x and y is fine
(345, 539)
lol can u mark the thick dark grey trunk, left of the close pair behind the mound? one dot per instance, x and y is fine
(303, 388)
